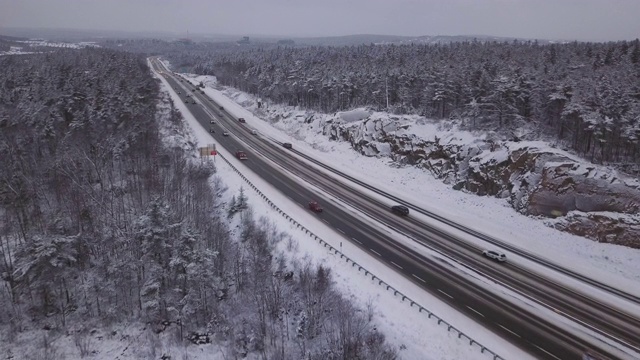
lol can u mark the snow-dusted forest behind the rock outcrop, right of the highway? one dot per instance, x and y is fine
(585, 95)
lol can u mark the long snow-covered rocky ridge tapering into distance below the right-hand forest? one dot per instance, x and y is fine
(536, 179)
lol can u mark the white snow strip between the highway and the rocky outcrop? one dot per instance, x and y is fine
(611, 264)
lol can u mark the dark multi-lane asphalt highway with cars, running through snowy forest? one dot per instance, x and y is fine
(519, 324)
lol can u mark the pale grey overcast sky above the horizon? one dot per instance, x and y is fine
(542, 19)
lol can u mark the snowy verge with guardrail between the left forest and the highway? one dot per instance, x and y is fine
(418, 336)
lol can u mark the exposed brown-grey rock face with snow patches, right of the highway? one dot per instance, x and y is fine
(536, 179)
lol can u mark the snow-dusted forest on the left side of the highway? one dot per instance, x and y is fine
(102, 223)
